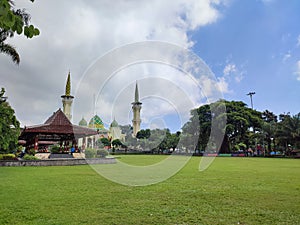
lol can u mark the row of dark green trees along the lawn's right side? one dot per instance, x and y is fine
(244, 128)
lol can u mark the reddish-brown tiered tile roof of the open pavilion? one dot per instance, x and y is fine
(56, 127)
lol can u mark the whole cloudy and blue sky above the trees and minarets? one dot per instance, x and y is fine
(182, 54)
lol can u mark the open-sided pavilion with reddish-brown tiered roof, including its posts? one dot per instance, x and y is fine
(56, 129)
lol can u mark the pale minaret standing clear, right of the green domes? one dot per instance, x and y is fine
(136, 108)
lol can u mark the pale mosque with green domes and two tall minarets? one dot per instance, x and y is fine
(113, 132)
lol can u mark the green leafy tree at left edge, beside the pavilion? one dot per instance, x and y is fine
(9, 126)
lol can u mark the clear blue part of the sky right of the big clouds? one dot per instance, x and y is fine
(262, 40)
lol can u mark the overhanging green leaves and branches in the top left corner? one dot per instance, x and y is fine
(14, 21)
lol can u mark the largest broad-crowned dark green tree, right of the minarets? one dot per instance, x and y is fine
(238, 118)
